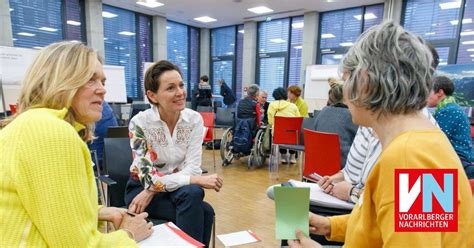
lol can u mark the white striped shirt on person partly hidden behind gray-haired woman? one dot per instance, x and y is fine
(364, 152)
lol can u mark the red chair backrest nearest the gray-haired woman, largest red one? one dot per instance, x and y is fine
(322, 153)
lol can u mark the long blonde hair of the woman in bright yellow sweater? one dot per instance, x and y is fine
(54, 77)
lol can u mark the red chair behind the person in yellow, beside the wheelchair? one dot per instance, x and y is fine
(286, 131)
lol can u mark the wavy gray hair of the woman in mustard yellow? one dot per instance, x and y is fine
(390, 71)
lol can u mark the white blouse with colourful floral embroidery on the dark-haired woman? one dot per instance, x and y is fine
(164, 161)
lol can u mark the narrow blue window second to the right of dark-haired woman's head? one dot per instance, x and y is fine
(222, 57)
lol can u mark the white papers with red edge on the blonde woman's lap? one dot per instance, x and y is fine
(169, 235)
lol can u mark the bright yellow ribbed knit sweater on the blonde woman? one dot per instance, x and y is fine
(48, 195)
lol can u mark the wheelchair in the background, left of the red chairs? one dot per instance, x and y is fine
(256, 156)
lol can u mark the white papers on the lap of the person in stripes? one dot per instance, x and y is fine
(319, 198)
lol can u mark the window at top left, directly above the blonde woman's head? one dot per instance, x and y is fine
(36, 24)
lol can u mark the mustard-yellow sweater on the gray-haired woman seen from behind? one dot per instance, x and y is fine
(371, 223)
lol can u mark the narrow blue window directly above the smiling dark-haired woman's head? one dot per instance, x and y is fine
(183, 50)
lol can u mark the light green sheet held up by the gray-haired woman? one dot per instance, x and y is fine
(292, 208)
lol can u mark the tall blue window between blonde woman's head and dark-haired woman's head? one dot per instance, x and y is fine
(127, 42)
